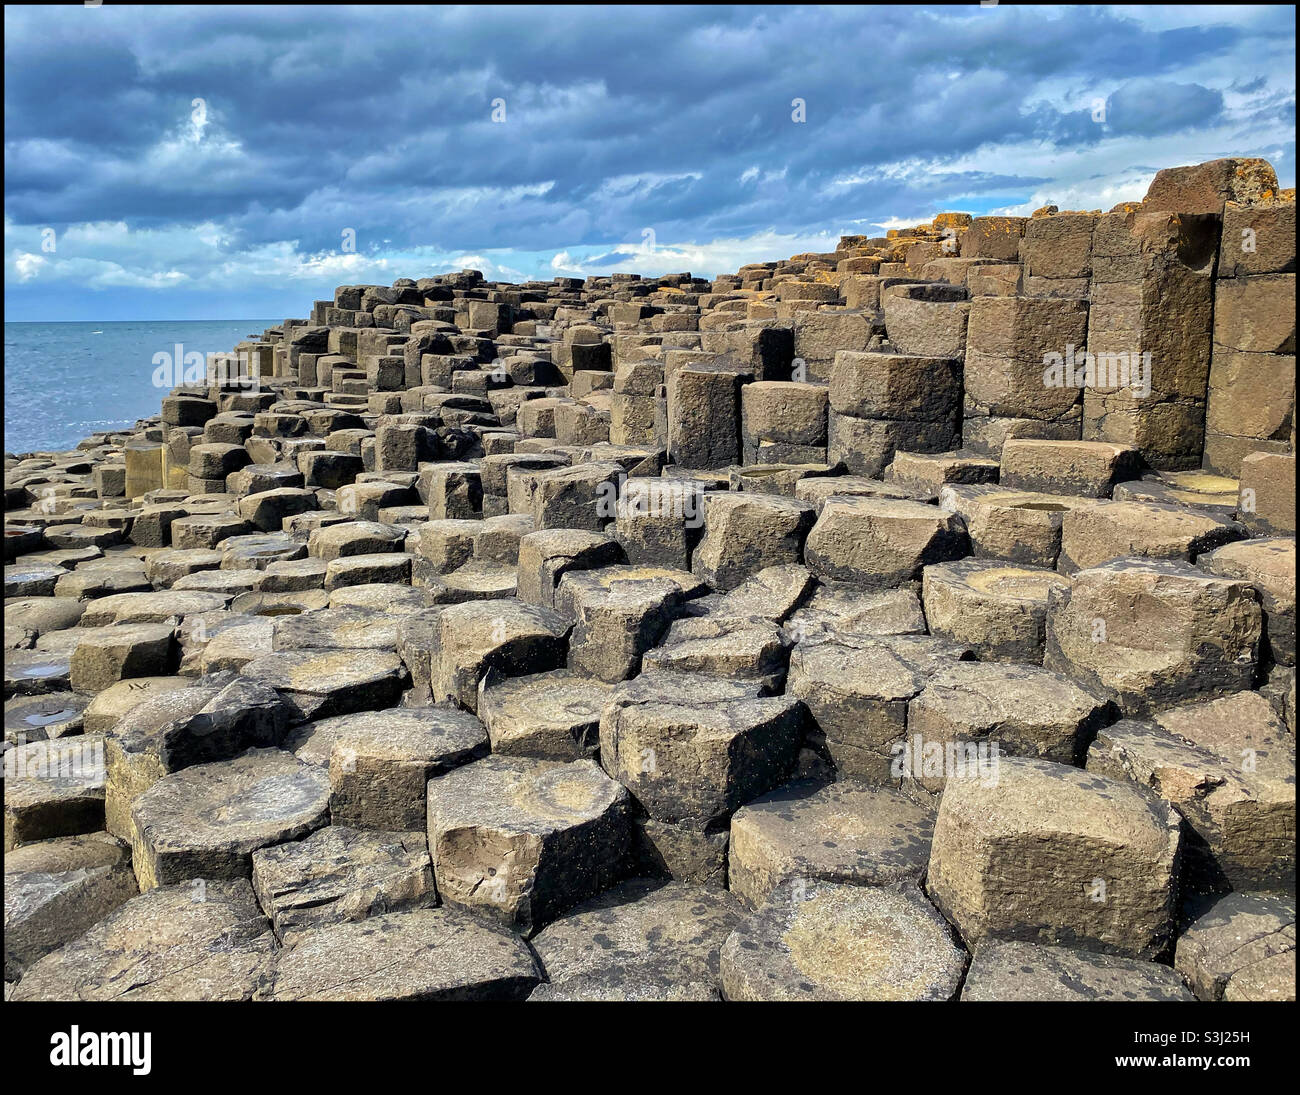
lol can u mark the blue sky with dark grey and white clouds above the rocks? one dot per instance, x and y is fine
(222, 163)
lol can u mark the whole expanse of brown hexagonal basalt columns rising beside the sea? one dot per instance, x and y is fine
(909, 622)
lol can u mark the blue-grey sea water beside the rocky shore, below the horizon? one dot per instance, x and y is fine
(66, 382)
